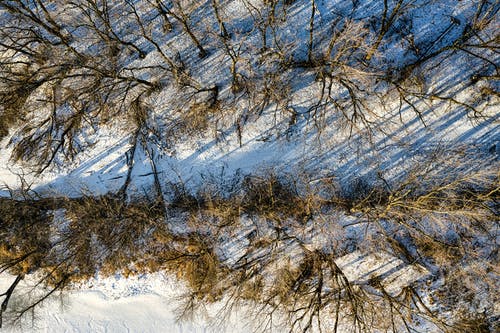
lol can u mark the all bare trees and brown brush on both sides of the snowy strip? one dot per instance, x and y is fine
(56, 92)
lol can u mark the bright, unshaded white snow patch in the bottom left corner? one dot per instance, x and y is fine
(144, 304)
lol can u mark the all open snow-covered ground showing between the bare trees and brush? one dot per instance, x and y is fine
(400, 141)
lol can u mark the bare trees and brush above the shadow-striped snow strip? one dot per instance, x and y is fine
(81, 67)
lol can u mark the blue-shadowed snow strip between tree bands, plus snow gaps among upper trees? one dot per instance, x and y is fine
(399, 137)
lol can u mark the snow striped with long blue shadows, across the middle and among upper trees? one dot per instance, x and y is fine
(102, 168)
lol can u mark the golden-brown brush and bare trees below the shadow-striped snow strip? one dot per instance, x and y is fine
(443, 224)
